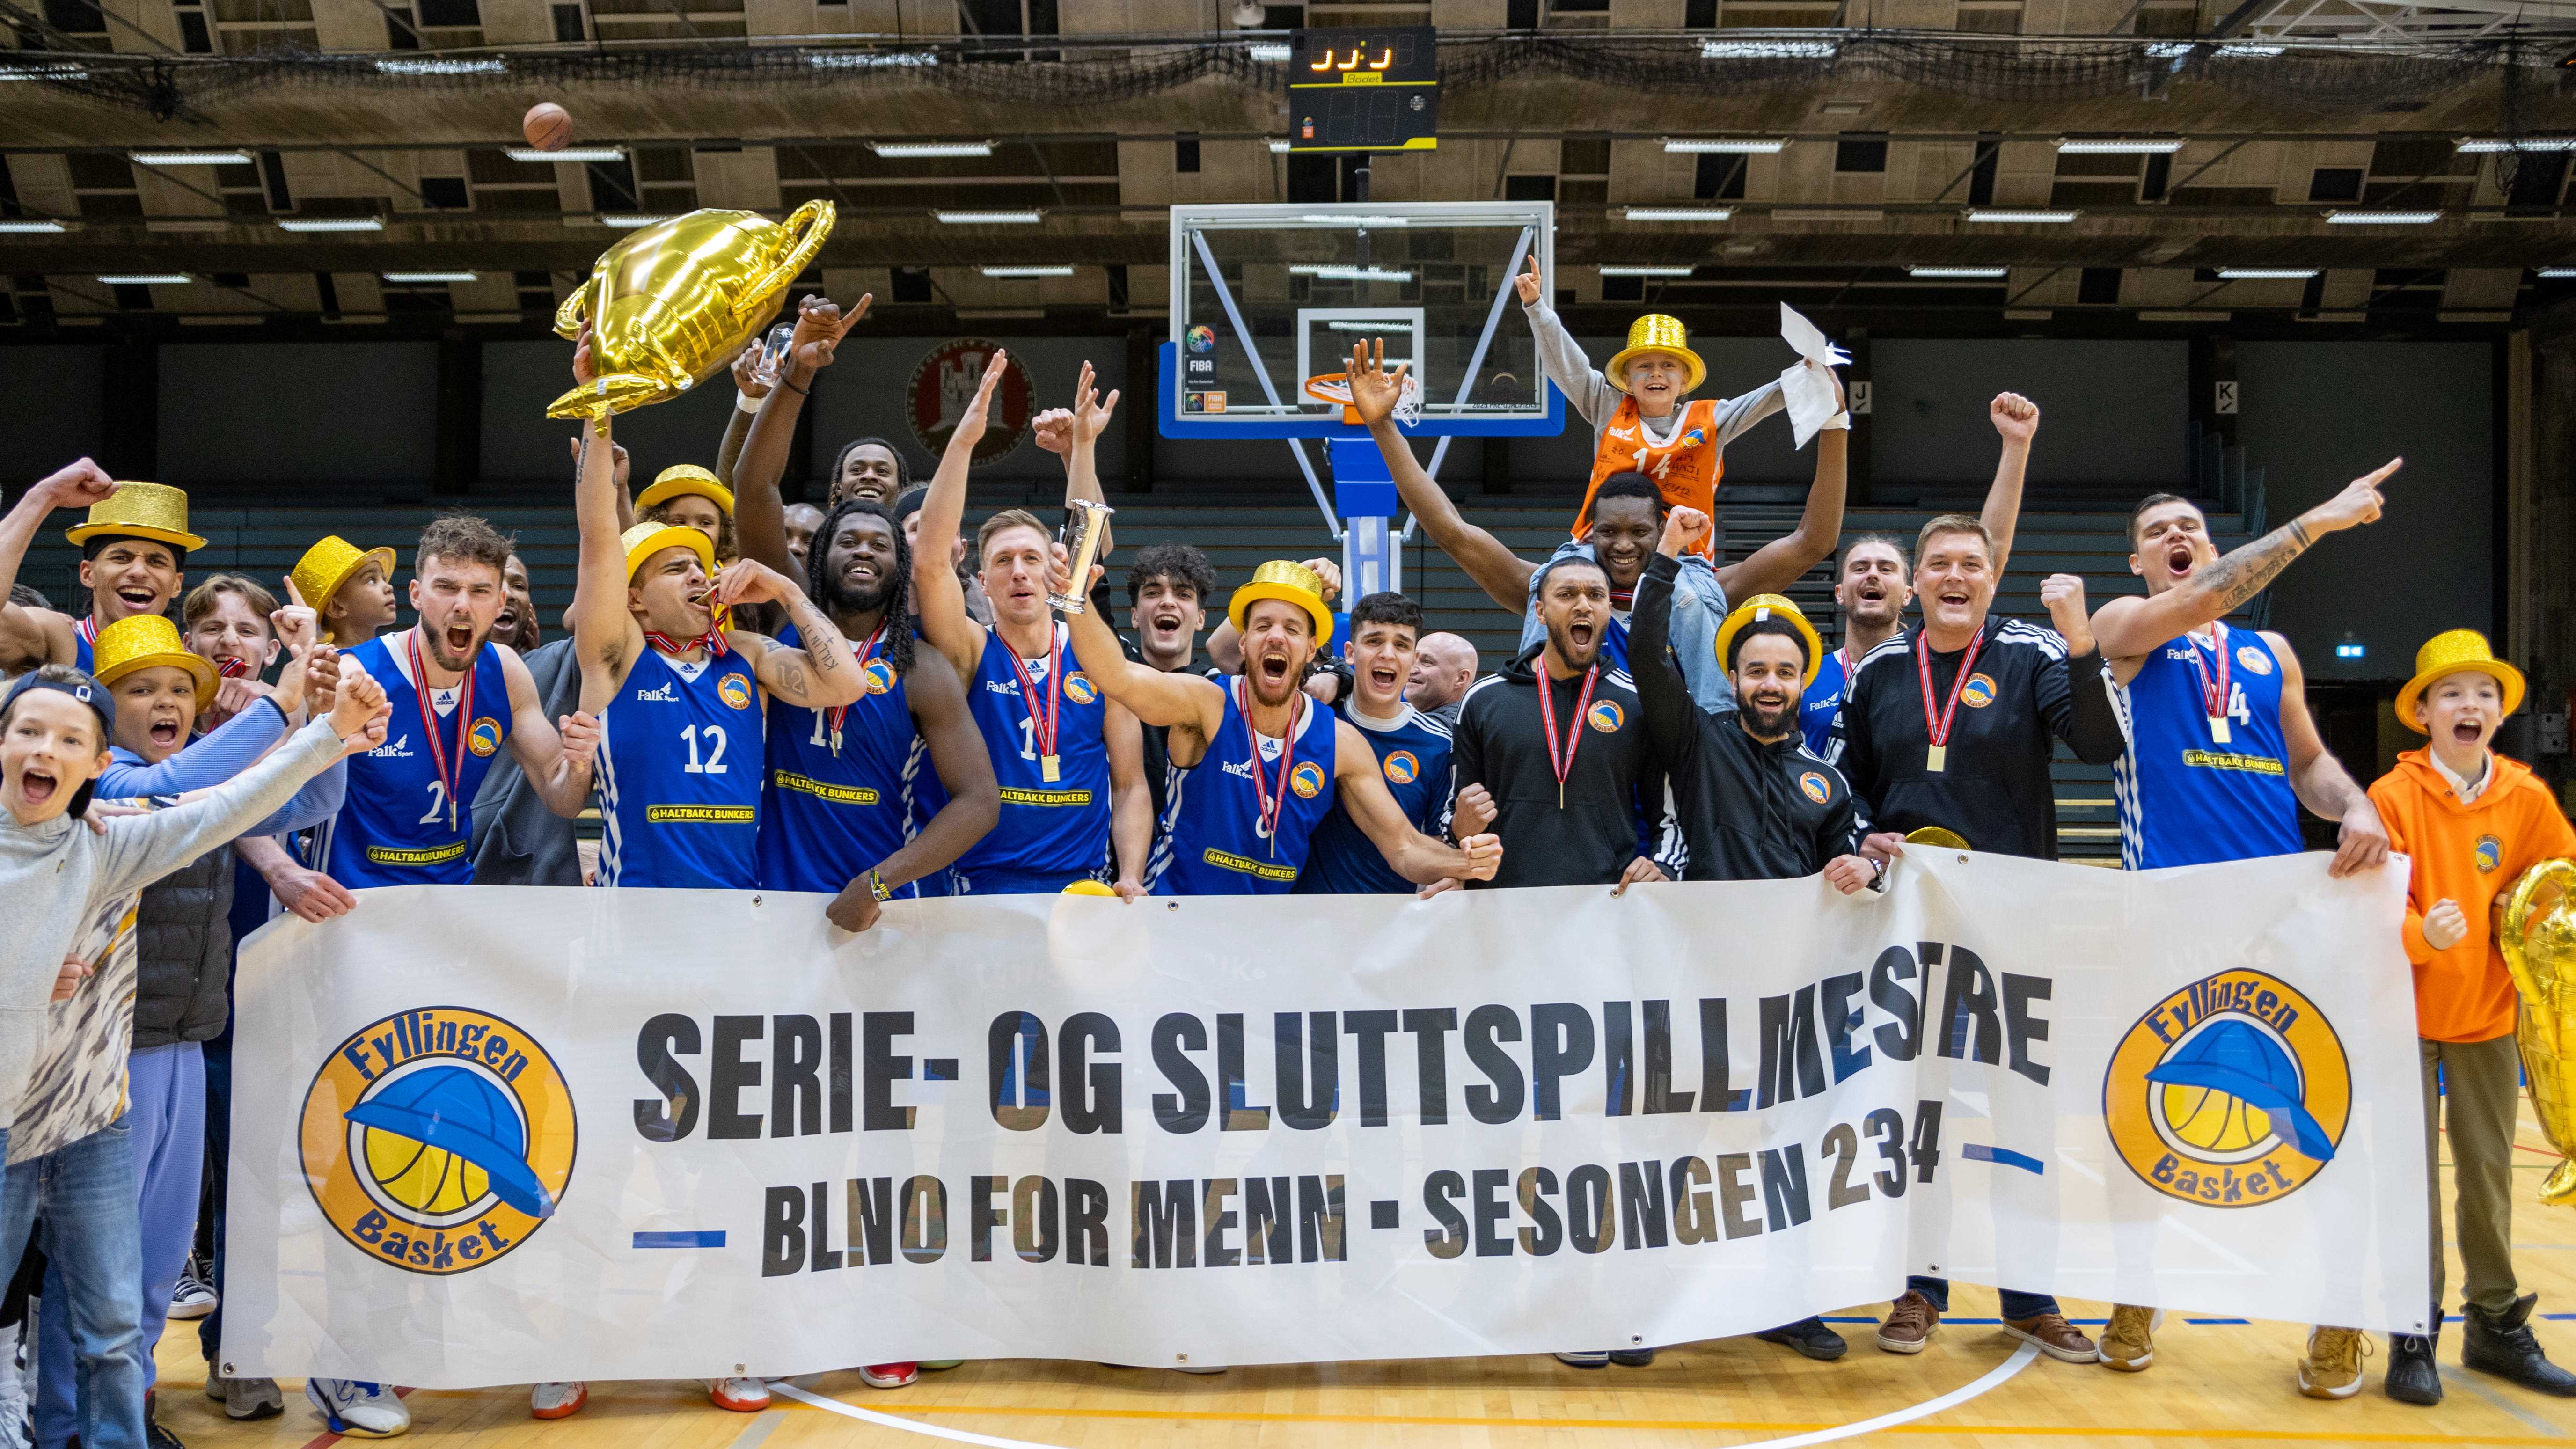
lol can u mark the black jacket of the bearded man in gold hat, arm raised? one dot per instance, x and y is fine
(1748, 811)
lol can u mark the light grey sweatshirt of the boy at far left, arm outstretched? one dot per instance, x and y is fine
(55, 875)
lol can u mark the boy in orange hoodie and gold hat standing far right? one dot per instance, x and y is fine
(2472, 821)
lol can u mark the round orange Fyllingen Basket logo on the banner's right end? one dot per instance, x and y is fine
(2232, 1092)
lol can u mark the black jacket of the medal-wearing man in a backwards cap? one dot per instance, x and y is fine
(1501, 744)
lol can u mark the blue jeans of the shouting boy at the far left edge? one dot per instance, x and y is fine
(84, 1195)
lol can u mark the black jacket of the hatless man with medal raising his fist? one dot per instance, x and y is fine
(1995, 785)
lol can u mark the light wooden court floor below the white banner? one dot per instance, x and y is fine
(2214, 1383)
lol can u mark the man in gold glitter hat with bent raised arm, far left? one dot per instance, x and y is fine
(133, 561)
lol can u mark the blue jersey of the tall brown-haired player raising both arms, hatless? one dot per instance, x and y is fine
(1052, 831)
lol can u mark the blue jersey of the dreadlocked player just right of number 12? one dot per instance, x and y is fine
(828, 816)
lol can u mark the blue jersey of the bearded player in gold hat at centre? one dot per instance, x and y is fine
(1212, 819)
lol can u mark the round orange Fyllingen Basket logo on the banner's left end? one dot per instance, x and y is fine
(439, 1138)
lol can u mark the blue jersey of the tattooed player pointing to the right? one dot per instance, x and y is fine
(2186, 795)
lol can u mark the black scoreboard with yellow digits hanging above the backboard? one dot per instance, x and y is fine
(1364, 89)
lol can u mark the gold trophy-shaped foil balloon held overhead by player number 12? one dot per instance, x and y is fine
(676, 303)
